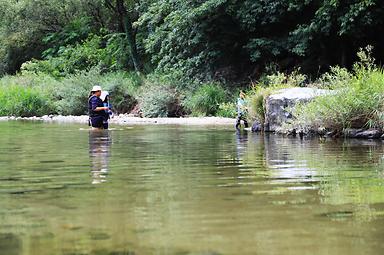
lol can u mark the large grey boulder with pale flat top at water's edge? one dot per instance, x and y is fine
(277, 104)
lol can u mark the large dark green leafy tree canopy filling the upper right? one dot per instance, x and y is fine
(204, 37)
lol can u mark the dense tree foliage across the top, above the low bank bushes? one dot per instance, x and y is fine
(210, 39)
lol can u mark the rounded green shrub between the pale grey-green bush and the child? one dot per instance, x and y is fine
(206, 99)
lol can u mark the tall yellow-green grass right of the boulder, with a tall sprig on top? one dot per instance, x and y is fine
(358, 101)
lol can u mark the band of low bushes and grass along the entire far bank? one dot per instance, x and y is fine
(358, 100)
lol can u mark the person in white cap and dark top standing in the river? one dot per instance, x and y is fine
(97, 110)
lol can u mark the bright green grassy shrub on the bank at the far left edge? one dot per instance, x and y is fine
(24, 101)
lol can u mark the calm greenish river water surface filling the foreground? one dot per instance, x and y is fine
(186, 191)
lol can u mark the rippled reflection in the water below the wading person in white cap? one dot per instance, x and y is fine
(99, 153)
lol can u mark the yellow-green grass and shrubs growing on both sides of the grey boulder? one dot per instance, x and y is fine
(355, 98)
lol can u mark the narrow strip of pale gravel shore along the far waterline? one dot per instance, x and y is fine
(124, 119)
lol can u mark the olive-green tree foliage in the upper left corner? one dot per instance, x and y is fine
(26, 22)
